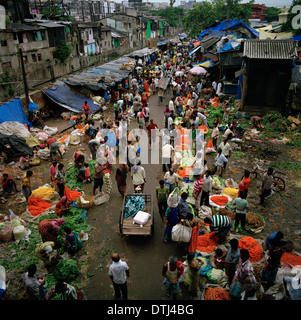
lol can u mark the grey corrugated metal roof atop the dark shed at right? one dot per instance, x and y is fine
(270, 49)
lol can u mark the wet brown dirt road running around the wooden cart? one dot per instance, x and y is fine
(144, 255)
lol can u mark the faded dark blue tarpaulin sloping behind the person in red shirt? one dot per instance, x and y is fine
(63, 96)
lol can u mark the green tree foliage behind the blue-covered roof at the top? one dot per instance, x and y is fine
(205, 13)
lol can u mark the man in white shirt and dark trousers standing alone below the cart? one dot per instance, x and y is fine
(118, 272)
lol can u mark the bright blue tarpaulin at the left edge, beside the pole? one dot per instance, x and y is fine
(13, 111)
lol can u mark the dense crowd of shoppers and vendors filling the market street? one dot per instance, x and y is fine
(184, 195)
